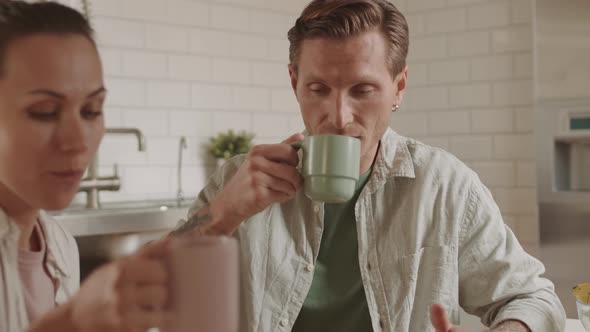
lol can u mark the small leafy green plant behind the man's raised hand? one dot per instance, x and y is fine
(229, 144)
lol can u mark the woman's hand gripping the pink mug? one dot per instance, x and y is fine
(125, 295)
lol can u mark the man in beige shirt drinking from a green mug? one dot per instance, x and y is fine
(421, 238)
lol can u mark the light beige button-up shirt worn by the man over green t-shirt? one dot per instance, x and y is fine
(428, 232)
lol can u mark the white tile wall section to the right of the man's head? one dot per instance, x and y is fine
(471, 92)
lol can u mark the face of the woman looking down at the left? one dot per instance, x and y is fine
(51, 123)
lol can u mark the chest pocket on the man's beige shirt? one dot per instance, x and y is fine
(429, 276)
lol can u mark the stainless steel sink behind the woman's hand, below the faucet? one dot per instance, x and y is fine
(105, 234)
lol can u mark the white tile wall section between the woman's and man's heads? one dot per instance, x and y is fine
(192, 68)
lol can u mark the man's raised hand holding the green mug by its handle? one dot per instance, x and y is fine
(268, 175)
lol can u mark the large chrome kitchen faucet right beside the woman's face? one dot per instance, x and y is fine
(92, 184)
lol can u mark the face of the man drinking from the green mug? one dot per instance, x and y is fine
(345, 87)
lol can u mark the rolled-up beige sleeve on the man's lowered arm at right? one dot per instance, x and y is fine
(498, 280)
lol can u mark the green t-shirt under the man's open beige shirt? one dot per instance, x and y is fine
(336, 300)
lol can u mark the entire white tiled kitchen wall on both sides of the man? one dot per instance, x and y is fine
(195, 68)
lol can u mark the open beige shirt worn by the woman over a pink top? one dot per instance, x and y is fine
(62, 263)
